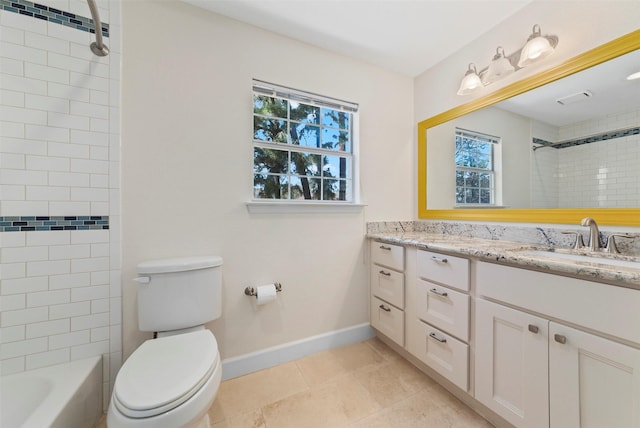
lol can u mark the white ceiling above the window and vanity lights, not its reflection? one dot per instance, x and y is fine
(403, 36)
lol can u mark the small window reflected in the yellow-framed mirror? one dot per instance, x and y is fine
(475, 170)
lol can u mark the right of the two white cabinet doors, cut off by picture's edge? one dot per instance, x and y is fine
(593, 382)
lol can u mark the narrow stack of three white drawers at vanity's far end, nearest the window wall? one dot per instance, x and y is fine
(387, 289)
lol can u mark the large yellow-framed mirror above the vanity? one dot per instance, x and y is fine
(534, 180)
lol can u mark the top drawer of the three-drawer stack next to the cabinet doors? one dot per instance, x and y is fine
(449, 270)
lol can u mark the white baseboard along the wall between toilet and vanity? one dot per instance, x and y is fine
(243, 364)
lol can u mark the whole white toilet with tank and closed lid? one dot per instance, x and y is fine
(171, 381)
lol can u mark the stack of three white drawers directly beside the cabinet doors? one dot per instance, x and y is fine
(442, 308)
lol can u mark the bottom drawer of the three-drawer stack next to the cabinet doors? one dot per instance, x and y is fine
(445, 354)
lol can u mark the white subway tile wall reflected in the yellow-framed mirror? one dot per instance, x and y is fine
(599, 174)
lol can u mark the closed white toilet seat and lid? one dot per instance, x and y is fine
(164, 373)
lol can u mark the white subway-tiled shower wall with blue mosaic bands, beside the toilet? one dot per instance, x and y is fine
(59, 183)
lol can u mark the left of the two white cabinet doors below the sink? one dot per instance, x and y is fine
(511, 370)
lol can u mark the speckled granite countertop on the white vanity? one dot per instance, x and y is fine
(516, 254)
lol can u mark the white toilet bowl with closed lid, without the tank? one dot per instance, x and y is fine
(167, 382)
